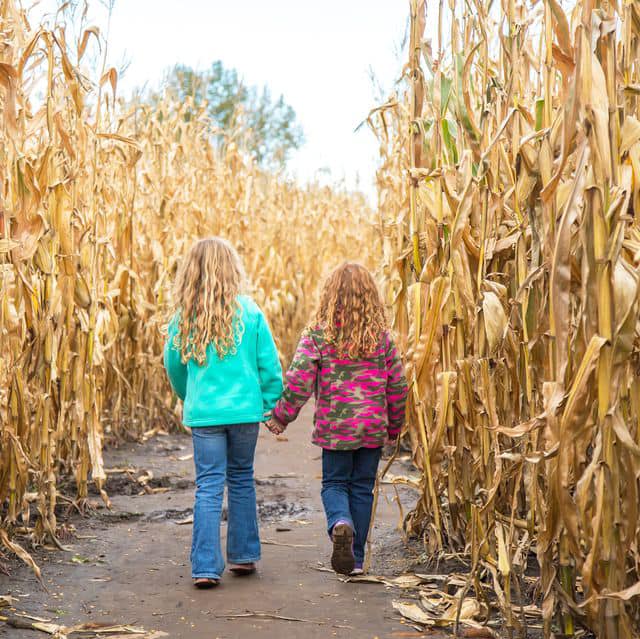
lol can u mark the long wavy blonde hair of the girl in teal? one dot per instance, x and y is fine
(207, 286)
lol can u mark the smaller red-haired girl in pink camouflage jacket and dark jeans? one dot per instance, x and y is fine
(348, 360)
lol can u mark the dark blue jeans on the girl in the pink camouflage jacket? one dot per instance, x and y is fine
(348, 478)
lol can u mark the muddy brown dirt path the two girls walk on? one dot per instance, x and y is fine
(131, 565)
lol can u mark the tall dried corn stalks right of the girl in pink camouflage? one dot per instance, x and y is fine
(509, 183)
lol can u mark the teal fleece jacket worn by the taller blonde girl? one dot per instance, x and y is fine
(241, 388)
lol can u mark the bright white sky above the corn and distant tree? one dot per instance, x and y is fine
(318, 54)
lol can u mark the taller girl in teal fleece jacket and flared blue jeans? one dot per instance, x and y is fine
(223, 364)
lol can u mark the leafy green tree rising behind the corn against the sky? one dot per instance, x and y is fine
(275, 131)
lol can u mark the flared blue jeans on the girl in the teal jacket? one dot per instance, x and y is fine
(224, 453)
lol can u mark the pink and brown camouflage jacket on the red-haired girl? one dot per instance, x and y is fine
(359, 403)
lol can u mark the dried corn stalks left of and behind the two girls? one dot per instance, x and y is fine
(98, 201)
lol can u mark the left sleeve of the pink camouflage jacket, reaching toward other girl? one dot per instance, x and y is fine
(300, 380)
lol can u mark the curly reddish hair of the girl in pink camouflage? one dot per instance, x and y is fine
(351, 311)
